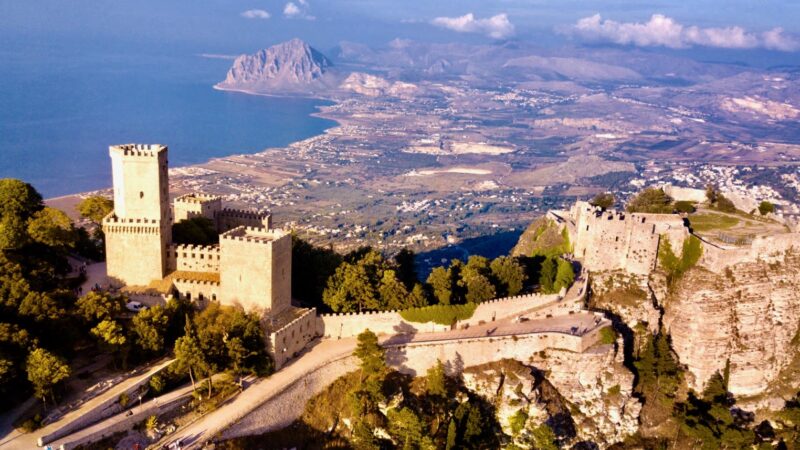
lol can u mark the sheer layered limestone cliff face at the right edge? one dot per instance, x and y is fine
(748, 315)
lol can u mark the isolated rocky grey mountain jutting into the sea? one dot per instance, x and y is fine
(291, 67)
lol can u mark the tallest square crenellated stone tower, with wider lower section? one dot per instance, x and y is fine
(139, 231)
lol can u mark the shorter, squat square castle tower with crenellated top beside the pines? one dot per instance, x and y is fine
(256, 269)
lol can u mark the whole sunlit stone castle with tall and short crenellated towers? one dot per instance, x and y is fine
(251, 266)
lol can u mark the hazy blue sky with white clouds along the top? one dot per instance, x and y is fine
(239, 26)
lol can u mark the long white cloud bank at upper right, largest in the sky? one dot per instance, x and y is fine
(664, 31)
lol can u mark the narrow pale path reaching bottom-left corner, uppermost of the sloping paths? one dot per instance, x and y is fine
(28, 441)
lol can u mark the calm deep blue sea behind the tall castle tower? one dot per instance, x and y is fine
(60, 109)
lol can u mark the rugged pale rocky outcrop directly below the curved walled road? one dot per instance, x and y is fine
(582, 396)
